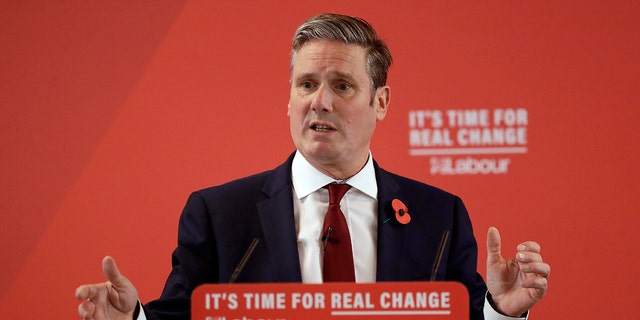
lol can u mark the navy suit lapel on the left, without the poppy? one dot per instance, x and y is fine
(278, 224)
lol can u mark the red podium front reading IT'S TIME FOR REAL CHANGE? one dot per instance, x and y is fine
(353, 301)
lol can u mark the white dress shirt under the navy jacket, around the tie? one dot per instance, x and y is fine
(359, 205)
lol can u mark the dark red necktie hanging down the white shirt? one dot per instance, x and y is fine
(337, 264)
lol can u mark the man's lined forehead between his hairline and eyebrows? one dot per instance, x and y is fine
(330, 56)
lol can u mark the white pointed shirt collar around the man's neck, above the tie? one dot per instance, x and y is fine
(307, 179)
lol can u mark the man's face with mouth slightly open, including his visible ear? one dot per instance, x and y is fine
(332, 117)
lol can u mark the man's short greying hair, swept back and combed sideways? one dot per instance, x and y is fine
(350, 30)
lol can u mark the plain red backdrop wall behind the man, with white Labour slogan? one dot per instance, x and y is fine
(111, 113)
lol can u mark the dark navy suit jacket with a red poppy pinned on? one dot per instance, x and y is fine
(219, 223)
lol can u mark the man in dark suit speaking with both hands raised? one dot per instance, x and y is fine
(338, 93)
